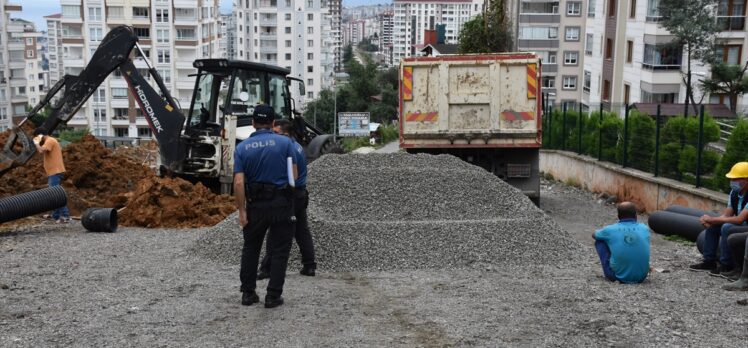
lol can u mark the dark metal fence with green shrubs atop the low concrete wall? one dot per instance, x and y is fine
(687, 148)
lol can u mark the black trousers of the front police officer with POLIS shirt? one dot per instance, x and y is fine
(279, 236)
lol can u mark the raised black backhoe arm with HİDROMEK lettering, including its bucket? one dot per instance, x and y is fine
(163, 115)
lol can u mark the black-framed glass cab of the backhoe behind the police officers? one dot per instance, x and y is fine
(230, 87)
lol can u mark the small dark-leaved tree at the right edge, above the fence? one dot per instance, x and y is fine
(729, 80)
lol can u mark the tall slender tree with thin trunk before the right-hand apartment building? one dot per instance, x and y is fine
(694, 25)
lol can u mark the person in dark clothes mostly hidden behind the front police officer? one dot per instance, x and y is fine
(301, 200)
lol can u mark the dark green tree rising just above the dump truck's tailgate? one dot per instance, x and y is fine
(489, 32)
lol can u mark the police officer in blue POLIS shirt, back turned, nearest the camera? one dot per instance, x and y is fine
(264, 196)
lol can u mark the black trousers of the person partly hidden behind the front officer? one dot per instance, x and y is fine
(302, 234)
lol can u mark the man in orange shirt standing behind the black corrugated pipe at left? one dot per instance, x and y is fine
(50, 148)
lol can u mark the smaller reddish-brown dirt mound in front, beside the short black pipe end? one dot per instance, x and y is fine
(174, 202)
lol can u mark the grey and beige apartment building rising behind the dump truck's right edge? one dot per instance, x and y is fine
(555, 29)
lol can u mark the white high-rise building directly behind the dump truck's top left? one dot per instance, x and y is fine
(413, 17)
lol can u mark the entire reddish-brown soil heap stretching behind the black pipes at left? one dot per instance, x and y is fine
(97, 177)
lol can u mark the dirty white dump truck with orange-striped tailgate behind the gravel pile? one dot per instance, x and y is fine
(484, 109)
